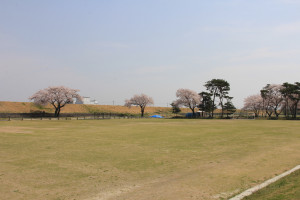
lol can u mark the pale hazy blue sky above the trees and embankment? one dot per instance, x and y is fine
(111, 50)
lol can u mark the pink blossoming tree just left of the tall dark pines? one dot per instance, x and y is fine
(187, 98)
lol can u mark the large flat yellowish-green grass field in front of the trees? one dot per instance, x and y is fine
(143, 158)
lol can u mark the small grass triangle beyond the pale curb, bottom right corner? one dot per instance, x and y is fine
(286, 188)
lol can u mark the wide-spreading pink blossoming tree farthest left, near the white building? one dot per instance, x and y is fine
(57, 96)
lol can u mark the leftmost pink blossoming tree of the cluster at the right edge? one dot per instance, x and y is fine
(254, 103)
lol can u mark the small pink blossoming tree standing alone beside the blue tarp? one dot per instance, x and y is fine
(139, 100)
